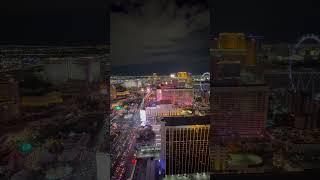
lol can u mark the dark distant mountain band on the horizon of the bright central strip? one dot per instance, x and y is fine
(195, 67)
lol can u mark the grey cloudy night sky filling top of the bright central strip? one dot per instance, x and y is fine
(154, 31)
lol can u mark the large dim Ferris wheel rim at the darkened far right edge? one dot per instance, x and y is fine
(300, 80)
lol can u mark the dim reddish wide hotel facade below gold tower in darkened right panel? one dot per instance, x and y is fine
(239, 111)
